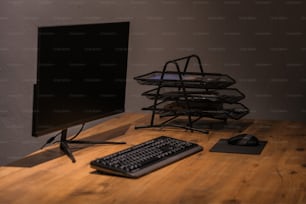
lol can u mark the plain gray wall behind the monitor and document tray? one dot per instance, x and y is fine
(262, 44)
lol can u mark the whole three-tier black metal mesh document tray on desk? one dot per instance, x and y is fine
(191, 94)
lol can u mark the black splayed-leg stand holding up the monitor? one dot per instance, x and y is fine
(65, 147)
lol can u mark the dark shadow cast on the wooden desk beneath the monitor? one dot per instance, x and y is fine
(55, 152)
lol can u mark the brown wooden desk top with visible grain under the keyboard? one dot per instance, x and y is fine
(278, 175)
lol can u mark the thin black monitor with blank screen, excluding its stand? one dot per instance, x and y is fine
(81, 74)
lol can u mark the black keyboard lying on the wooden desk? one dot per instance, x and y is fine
(146, 157)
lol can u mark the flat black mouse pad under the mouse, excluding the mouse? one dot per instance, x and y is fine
(223, 146)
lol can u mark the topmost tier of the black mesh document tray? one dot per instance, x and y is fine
(186, 79)
